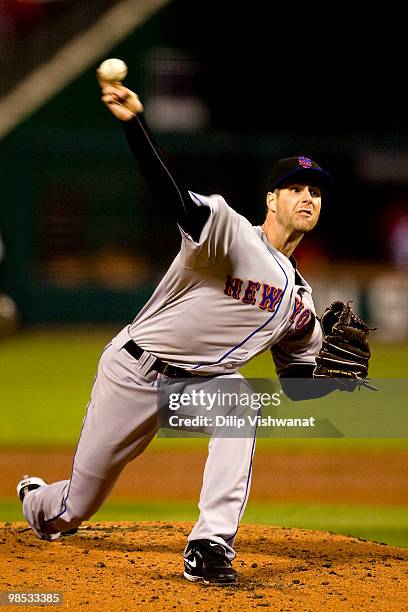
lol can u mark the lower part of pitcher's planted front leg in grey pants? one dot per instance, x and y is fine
(225, 490)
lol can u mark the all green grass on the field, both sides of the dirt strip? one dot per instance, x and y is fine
(45, 381)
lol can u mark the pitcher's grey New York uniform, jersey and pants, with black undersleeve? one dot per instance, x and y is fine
(225, 299)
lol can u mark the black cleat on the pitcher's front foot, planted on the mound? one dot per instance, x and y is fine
(206, 560)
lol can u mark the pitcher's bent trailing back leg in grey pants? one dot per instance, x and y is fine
(120, 422)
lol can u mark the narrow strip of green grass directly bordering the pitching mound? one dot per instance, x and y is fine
(380, 524)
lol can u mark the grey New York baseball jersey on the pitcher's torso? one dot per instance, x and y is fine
(227, 298)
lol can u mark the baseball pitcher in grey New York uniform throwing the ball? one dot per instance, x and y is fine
(232, 292)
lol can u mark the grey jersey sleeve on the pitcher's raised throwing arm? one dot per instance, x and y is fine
(216, 236)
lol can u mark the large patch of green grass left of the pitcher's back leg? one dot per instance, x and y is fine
(45, 382)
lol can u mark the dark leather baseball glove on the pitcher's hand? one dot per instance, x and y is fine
(345, 352)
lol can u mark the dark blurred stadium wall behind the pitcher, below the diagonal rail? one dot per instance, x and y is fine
(81, 229)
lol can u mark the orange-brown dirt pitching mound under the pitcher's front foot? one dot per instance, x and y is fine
(128, 566)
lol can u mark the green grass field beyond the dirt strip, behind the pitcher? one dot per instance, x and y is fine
(46, 378)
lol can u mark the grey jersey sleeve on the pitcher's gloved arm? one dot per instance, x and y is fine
(298, 349)
